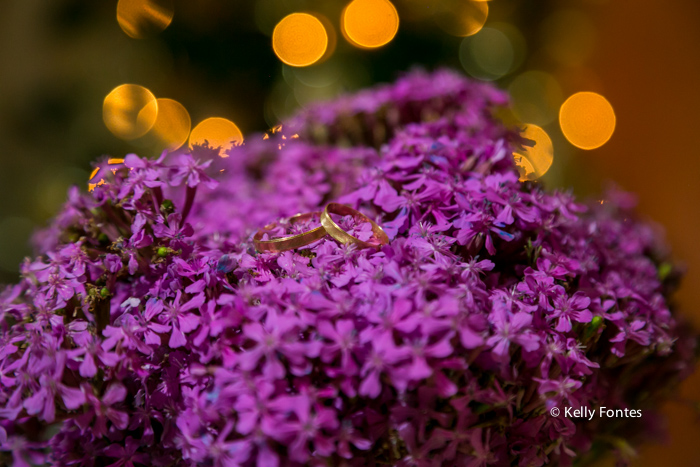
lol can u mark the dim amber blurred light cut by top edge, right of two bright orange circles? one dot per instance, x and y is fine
(461, 17)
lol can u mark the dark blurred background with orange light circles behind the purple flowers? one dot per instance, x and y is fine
(607, 89)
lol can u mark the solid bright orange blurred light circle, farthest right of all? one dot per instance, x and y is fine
(587, 120)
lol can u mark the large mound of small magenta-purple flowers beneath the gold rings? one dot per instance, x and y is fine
(149, 331)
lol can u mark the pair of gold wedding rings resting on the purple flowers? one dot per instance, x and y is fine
(328, 227)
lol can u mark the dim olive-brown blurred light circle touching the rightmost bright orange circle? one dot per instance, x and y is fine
(535, 97)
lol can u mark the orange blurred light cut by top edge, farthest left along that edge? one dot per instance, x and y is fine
(144, 18)
